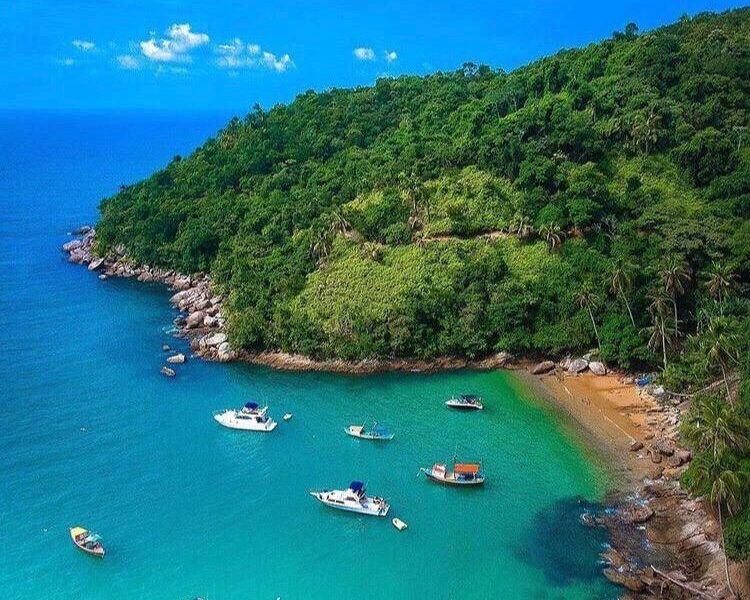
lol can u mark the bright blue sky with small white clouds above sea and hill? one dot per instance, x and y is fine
(229, 54)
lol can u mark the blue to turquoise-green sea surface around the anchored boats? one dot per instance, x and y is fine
(91, 434)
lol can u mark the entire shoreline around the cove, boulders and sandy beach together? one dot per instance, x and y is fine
(651, 521)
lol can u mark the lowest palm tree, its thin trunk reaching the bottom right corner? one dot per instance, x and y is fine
(724, 485)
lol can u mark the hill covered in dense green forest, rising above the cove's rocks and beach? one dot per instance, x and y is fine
(598, 196)
